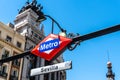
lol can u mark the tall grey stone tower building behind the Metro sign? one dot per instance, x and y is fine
(26, 25)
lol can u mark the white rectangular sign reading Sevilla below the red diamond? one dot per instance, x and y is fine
(52, 68)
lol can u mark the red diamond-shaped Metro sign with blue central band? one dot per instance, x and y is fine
(52, 46)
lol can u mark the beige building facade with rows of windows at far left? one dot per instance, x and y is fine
(11, 43)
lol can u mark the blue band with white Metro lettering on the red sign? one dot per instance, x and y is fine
(48, 45)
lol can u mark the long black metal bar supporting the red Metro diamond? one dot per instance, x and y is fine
(77, 39)
